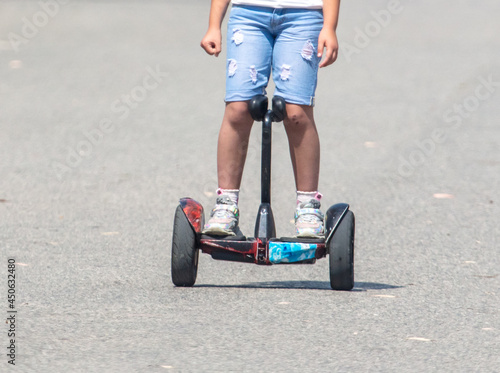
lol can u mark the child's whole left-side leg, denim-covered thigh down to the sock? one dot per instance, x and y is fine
(249, 55)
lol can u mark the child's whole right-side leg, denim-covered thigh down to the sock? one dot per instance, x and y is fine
(295, 72)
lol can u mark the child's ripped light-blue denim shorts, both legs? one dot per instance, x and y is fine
(285, 40)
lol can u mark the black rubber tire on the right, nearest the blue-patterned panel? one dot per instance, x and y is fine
(341, 249)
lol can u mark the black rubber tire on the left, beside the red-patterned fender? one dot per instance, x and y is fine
(184, 265)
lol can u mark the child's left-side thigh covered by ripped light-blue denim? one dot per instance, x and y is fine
(249, 54)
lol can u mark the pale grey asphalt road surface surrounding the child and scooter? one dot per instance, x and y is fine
(109, 113)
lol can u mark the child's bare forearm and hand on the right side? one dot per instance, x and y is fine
(327, 37)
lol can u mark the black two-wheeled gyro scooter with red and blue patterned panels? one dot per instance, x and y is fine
(264, 248)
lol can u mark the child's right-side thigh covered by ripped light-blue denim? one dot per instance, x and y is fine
(295, 60)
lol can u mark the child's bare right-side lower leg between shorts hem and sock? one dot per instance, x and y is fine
(304, 146)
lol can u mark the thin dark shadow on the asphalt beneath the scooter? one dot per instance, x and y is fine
(311, 285)
